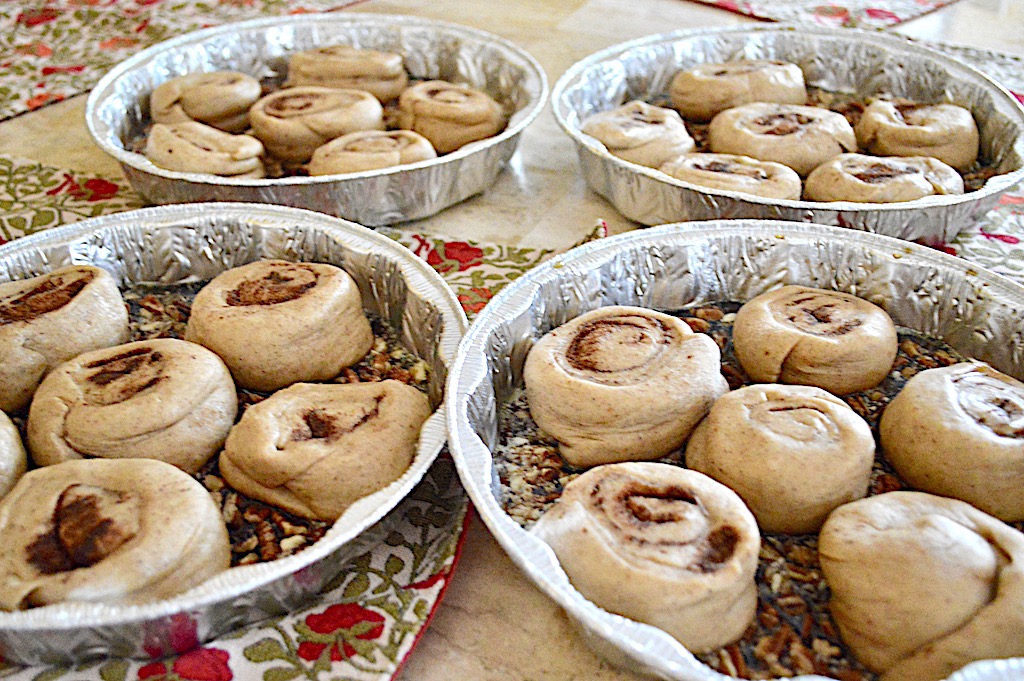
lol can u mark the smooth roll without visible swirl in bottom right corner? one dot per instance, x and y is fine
(923, 585)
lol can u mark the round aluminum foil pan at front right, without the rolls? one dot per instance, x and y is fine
(978, 313)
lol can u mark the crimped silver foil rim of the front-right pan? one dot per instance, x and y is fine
(645, 648)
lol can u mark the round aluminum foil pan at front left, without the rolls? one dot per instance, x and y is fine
(181, 244)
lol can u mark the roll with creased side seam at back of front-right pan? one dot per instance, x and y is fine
(814, 337)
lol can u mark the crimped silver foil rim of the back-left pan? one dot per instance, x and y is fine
(102, 134)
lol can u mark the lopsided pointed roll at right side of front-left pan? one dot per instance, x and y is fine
(315, 450)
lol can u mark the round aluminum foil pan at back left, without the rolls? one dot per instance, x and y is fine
(118, 110)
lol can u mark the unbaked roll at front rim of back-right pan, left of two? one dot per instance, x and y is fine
(736, 174)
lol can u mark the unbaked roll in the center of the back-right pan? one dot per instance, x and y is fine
(802, 138)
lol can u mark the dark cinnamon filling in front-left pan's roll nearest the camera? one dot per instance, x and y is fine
(89, 525)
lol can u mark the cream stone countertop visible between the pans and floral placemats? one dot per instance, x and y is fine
(493, 623)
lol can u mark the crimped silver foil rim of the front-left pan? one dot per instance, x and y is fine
(235, 582)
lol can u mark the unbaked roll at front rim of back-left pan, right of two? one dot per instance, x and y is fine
(370, 150)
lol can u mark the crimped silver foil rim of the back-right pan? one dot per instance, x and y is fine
(995, 186)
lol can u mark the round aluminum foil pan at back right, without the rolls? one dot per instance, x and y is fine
(837, 60)
